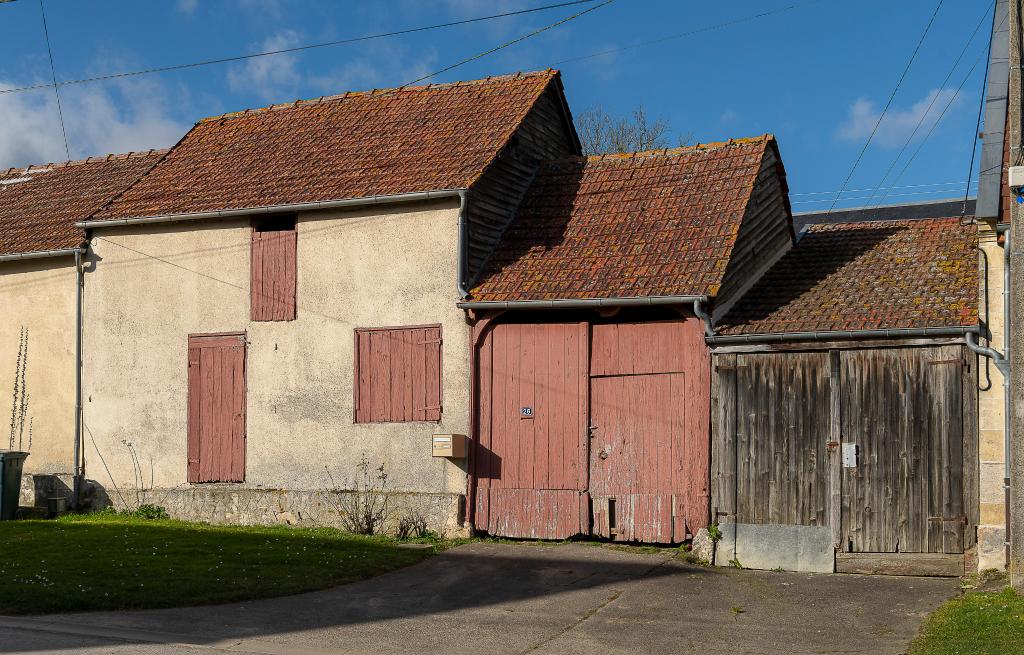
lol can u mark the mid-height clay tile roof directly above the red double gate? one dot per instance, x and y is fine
(658, 224)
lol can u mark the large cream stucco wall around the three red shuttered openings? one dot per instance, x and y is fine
(388, 267)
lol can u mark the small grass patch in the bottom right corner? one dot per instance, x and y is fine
(977, 624)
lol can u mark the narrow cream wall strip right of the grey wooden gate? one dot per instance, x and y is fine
(992, 522)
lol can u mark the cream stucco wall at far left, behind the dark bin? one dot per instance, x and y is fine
(39, 294)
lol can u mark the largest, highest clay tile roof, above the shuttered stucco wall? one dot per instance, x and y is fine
(351, 146)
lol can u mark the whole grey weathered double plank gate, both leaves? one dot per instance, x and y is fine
(901, 416)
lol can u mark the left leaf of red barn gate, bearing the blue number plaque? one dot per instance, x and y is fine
(531, 462)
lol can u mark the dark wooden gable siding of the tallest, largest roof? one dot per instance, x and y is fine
(544, 135)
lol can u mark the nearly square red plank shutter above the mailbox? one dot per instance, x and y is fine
(399, 375)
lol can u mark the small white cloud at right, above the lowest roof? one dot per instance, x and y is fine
(898, 124)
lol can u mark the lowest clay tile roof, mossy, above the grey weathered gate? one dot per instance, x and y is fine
(870, 276)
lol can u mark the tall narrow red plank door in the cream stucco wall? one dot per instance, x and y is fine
(217, 408)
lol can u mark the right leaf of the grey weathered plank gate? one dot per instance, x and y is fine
(903, 411)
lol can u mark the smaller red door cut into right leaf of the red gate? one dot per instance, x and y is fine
(637, 442)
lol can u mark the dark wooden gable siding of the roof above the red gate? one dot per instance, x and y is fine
(765, 231)
